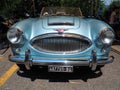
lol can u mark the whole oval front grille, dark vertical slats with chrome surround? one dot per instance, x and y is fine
(60, 43)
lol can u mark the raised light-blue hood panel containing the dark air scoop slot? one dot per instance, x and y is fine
(61, 22)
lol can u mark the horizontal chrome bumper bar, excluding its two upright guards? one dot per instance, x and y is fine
(74, 62)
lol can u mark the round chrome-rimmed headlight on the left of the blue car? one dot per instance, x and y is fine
(15, 35)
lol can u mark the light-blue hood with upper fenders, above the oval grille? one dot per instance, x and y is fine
(37, 26)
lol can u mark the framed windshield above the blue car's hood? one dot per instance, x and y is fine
(61, 11)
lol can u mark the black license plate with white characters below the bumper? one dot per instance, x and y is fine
(58, 68)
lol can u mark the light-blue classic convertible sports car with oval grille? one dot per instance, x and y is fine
(61, 38)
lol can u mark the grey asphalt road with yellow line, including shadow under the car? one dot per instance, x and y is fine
(107, 78)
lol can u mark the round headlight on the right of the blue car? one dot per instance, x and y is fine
(107, 36)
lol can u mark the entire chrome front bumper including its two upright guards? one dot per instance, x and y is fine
(92, 62)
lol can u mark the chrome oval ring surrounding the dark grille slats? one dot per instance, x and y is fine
(57, 35)
